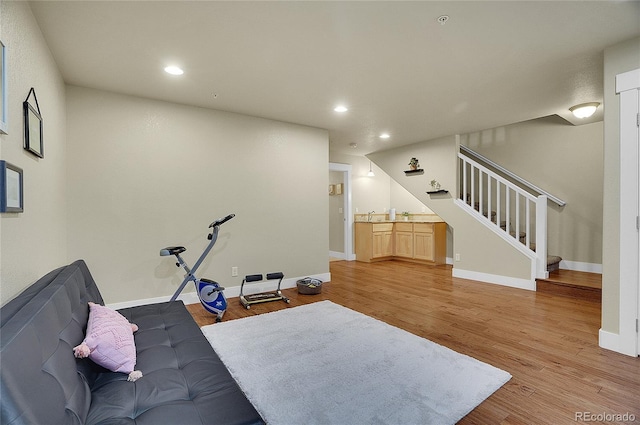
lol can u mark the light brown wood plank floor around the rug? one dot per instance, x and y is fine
(548, 343)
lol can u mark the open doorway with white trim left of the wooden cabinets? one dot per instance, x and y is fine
(340, 214)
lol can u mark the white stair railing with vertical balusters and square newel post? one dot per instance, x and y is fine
(519, 216)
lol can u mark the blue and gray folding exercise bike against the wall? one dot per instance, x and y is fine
(210, 292)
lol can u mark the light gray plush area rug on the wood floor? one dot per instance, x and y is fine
(322, 363)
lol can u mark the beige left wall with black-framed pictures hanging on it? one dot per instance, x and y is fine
(33, 242)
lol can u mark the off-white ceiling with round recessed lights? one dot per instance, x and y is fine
(392, 63)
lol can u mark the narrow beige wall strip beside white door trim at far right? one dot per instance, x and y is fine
(617, 59)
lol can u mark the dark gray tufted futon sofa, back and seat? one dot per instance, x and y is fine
(184, 381)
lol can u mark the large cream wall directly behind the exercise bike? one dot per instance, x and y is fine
(145, 174)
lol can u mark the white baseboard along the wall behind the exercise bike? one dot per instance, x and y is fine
(230, 292)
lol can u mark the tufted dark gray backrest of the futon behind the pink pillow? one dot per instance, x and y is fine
(40, 382)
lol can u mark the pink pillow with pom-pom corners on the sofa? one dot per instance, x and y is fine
(109, 341)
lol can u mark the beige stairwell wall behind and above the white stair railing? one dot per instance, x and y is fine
(566, 161)
